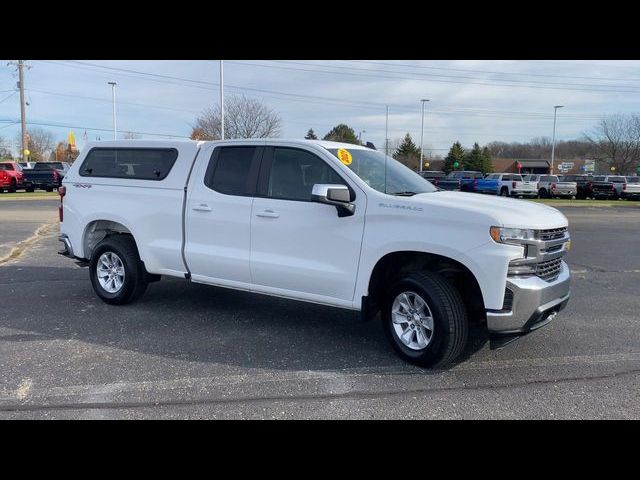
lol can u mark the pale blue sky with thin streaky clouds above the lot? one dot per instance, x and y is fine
(469, 100)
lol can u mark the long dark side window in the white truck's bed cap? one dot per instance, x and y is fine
(134, 163)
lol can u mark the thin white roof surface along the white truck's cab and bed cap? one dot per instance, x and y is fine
(174, 143)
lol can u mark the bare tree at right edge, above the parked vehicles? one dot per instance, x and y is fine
(616, 140)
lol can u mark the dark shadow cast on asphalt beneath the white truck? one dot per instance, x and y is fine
(196, 323)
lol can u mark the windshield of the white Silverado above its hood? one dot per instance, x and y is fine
(369, 165)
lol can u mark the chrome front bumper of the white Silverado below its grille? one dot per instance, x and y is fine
(535, 303)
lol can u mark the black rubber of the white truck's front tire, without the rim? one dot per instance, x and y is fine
(449, 317)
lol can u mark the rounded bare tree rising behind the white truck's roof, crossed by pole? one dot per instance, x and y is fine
(243, 118)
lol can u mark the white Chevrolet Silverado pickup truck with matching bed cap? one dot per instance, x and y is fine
(324, 222)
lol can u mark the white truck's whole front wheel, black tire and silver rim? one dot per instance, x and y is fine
(425, 319)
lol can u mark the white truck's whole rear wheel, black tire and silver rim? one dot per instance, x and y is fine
(116, 272)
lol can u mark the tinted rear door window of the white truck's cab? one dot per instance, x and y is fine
(232, 170)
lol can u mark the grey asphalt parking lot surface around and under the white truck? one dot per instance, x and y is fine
(190, 351)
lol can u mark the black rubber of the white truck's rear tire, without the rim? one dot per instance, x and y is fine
(135, 280)
